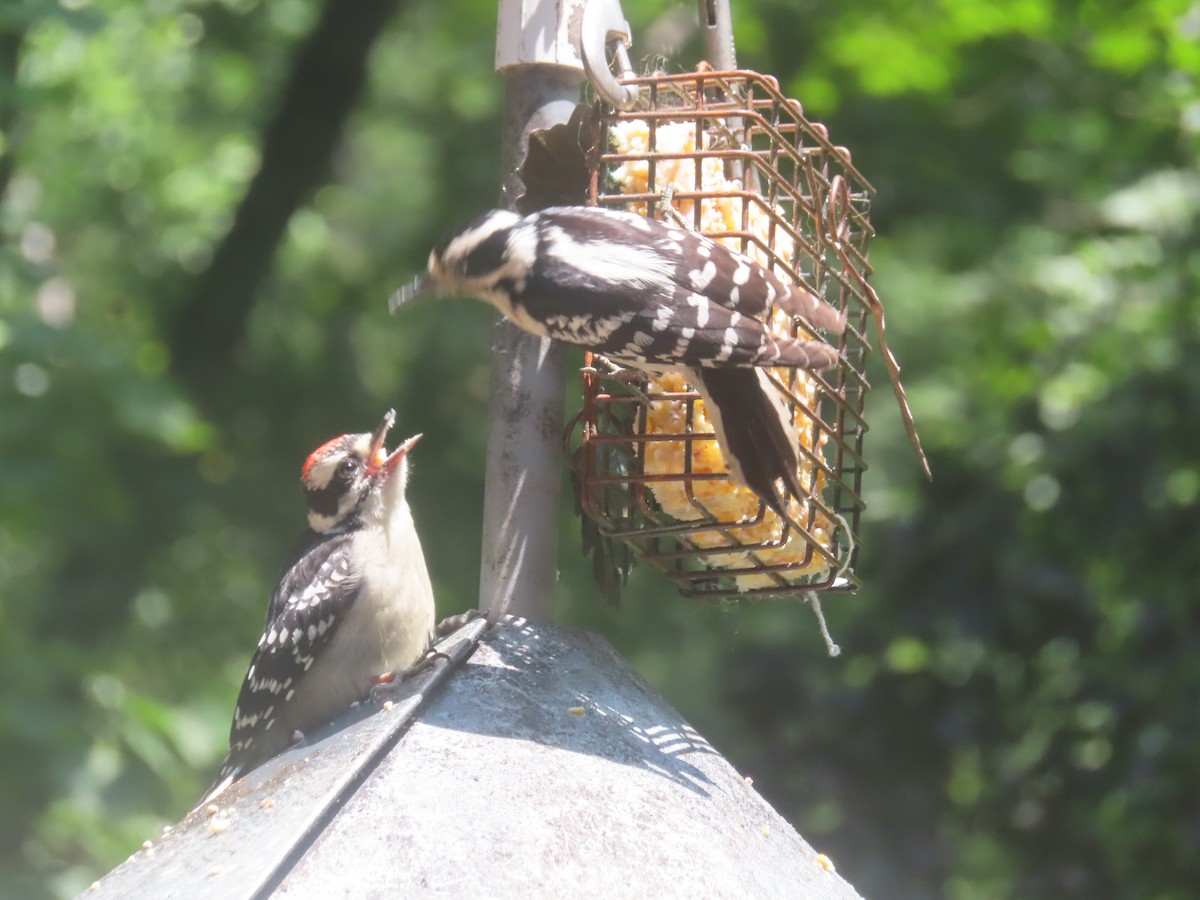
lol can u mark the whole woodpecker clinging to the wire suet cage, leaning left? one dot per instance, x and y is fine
(655, 297)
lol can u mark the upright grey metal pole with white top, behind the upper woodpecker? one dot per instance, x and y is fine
(524, 477)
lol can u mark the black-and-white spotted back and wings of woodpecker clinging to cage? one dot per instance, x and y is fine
(635, 289)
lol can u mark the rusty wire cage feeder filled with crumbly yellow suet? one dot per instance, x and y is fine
(725, 154)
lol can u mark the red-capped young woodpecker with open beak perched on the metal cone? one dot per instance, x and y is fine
(353, 608)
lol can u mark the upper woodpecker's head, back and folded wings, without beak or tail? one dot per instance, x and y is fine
(629, 275)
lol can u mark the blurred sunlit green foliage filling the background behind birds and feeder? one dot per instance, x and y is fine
(1017, 711)
